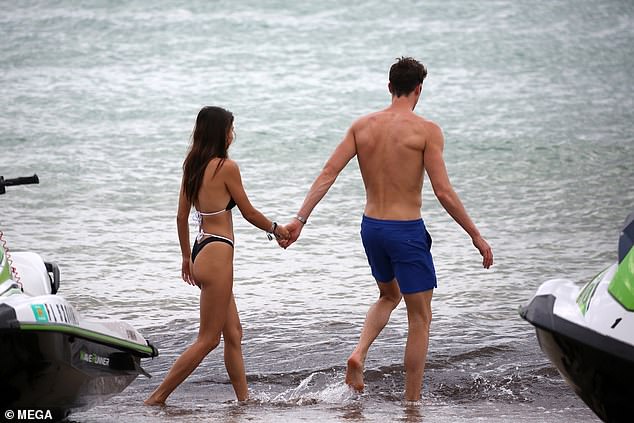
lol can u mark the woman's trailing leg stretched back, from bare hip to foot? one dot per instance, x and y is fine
(213, 271)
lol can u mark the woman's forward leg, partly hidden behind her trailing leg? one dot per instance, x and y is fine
(232, 335)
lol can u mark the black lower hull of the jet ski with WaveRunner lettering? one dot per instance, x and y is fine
(60, 372)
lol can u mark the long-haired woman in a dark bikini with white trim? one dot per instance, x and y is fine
(212, 184)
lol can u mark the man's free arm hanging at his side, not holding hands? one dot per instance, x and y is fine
(436, 170)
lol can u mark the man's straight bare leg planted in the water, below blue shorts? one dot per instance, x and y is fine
(419, 320)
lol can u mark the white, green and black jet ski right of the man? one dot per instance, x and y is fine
(587, 332)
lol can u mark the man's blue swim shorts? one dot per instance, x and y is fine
(399, 249)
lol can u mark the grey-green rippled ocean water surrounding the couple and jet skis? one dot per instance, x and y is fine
(536, 103)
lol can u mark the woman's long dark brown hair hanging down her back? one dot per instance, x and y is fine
(209, 140)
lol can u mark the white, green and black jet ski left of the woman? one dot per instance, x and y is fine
(53, 359)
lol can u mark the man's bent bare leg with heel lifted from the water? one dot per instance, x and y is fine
(375, 321)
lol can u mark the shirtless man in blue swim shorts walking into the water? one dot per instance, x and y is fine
(394, 148)
